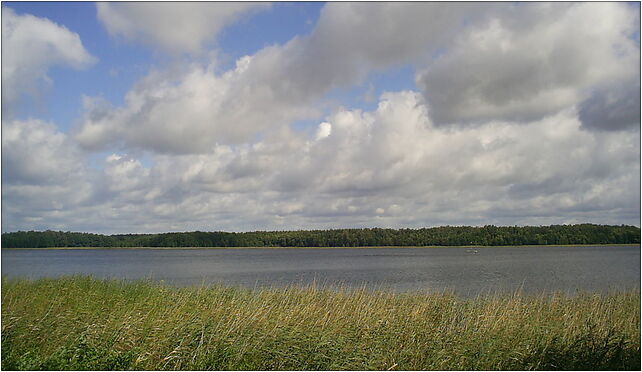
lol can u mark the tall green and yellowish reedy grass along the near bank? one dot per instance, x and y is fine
(84, 323)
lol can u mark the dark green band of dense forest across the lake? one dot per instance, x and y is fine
(441, 236)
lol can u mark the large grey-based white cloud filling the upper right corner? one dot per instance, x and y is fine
(531, 60)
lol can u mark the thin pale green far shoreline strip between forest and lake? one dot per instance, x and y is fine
(359, 247)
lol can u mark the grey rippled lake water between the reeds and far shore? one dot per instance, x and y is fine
(466, 271)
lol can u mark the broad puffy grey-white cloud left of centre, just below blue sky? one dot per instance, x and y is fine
(189, 111)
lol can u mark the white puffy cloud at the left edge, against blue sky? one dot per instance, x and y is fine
(31, 46)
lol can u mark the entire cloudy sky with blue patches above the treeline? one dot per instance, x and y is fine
(128, 117)
